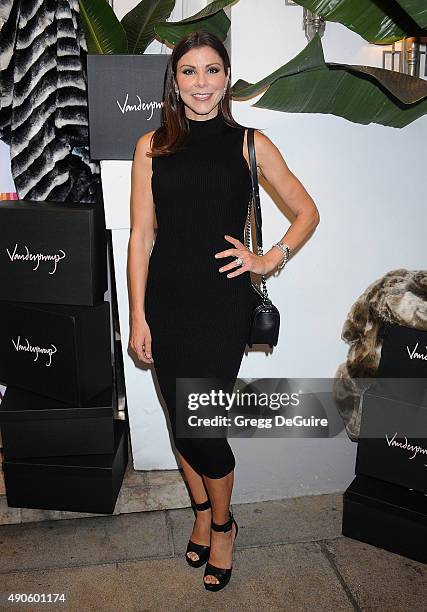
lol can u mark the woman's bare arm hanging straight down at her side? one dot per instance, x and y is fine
(140, 243)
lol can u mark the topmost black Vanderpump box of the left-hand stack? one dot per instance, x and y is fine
(52, 252)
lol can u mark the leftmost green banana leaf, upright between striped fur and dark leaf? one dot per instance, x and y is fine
(103, 31)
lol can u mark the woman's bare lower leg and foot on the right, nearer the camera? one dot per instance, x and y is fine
(221, 554)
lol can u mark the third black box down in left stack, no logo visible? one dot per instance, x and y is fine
(36, 426)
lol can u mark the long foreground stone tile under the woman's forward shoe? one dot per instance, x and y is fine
(292, 578)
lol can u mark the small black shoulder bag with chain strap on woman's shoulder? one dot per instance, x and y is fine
(265, 322)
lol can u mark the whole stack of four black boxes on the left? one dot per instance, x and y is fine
(64, 441)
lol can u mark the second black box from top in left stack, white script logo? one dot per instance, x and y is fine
(59, 351)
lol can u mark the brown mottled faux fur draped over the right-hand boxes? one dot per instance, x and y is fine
(400, 297)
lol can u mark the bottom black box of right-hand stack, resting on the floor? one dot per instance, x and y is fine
(386, 515)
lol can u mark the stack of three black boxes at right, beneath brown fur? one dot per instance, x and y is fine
(386, 504)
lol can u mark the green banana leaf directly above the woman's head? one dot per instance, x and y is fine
(211, 18)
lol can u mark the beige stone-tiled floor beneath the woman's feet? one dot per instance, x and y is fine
(289, 556)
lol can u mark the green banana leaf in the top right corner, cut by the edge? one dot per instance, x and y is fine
(380, 22)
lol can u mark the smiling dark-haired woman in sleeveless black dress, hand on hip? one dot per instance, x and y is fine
(191, 299)
